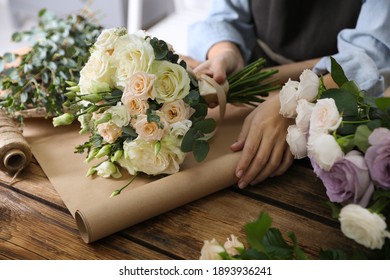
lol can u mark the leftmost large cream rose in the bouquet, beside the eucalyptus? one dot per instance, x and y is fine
(96, 74)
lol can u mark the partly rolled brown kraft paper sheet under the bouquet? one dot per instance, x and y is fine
(88, 198)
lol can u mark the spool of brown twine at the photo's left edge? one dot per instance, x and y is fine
(15, 152)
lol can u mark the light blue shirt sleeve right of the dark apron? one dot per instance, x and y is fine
(364, 52)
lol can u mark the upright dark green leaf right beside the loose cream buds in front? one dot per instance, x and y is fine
(256, 231)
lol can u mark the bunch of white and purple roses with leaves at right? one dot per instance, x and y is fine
(347, 138)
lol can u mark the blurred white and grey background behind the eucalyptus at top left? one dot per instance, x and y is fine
(165, 19)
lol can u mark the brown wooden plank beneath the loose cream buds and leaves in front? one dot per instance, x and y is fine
(225, 213)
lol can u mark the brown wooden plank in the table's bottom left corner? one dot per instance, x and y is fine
(40, 231)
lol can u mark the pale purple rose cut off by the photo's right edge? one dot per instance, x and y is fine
(378, 157)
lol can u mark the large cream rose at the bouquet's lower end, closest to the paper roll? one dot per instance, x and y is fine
(139, 156)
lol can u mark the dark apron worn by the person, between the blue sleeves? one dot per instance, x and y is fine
(301, 29)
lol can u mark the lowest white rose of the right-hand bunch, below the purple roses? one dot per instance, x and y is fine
(363, 226)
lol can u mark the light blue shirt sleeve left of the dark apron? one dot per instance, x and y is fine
(228, 20)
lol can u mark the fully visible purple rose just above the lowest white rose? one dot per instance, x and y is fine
(348, 181)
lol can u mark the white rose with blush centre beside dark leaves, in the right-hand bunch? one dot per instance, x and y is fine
(325, 117)
